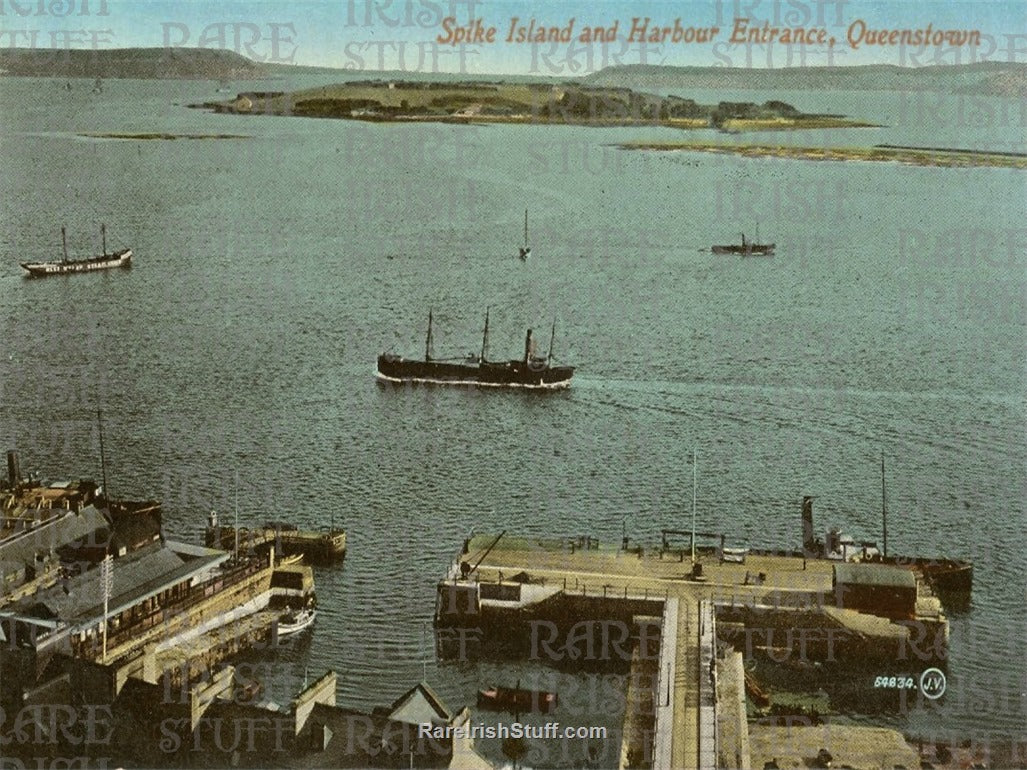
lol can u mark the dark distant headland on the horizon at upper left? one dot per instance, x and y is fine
(130, 63)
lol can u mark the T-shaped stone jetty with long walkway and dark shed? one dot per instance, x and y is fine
(682, 622)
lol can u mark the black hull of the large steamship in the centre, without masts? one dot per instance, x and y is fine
(514, 374)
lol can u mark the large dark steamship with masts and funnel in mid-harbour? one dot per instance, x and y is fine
(529, 372)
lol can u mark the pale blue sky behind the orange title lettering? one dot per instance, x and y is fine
(413, 35)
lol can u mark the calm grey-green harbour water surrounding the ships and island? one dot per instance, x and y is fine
(237, 359)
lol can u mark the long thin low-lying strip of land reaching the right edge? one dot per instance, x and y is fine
(954, 159)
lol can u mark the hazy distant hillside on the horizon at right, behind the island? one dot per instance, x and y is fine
(994, 79)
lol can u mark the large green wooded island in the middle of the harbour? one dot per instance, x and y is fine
(520, 103)
